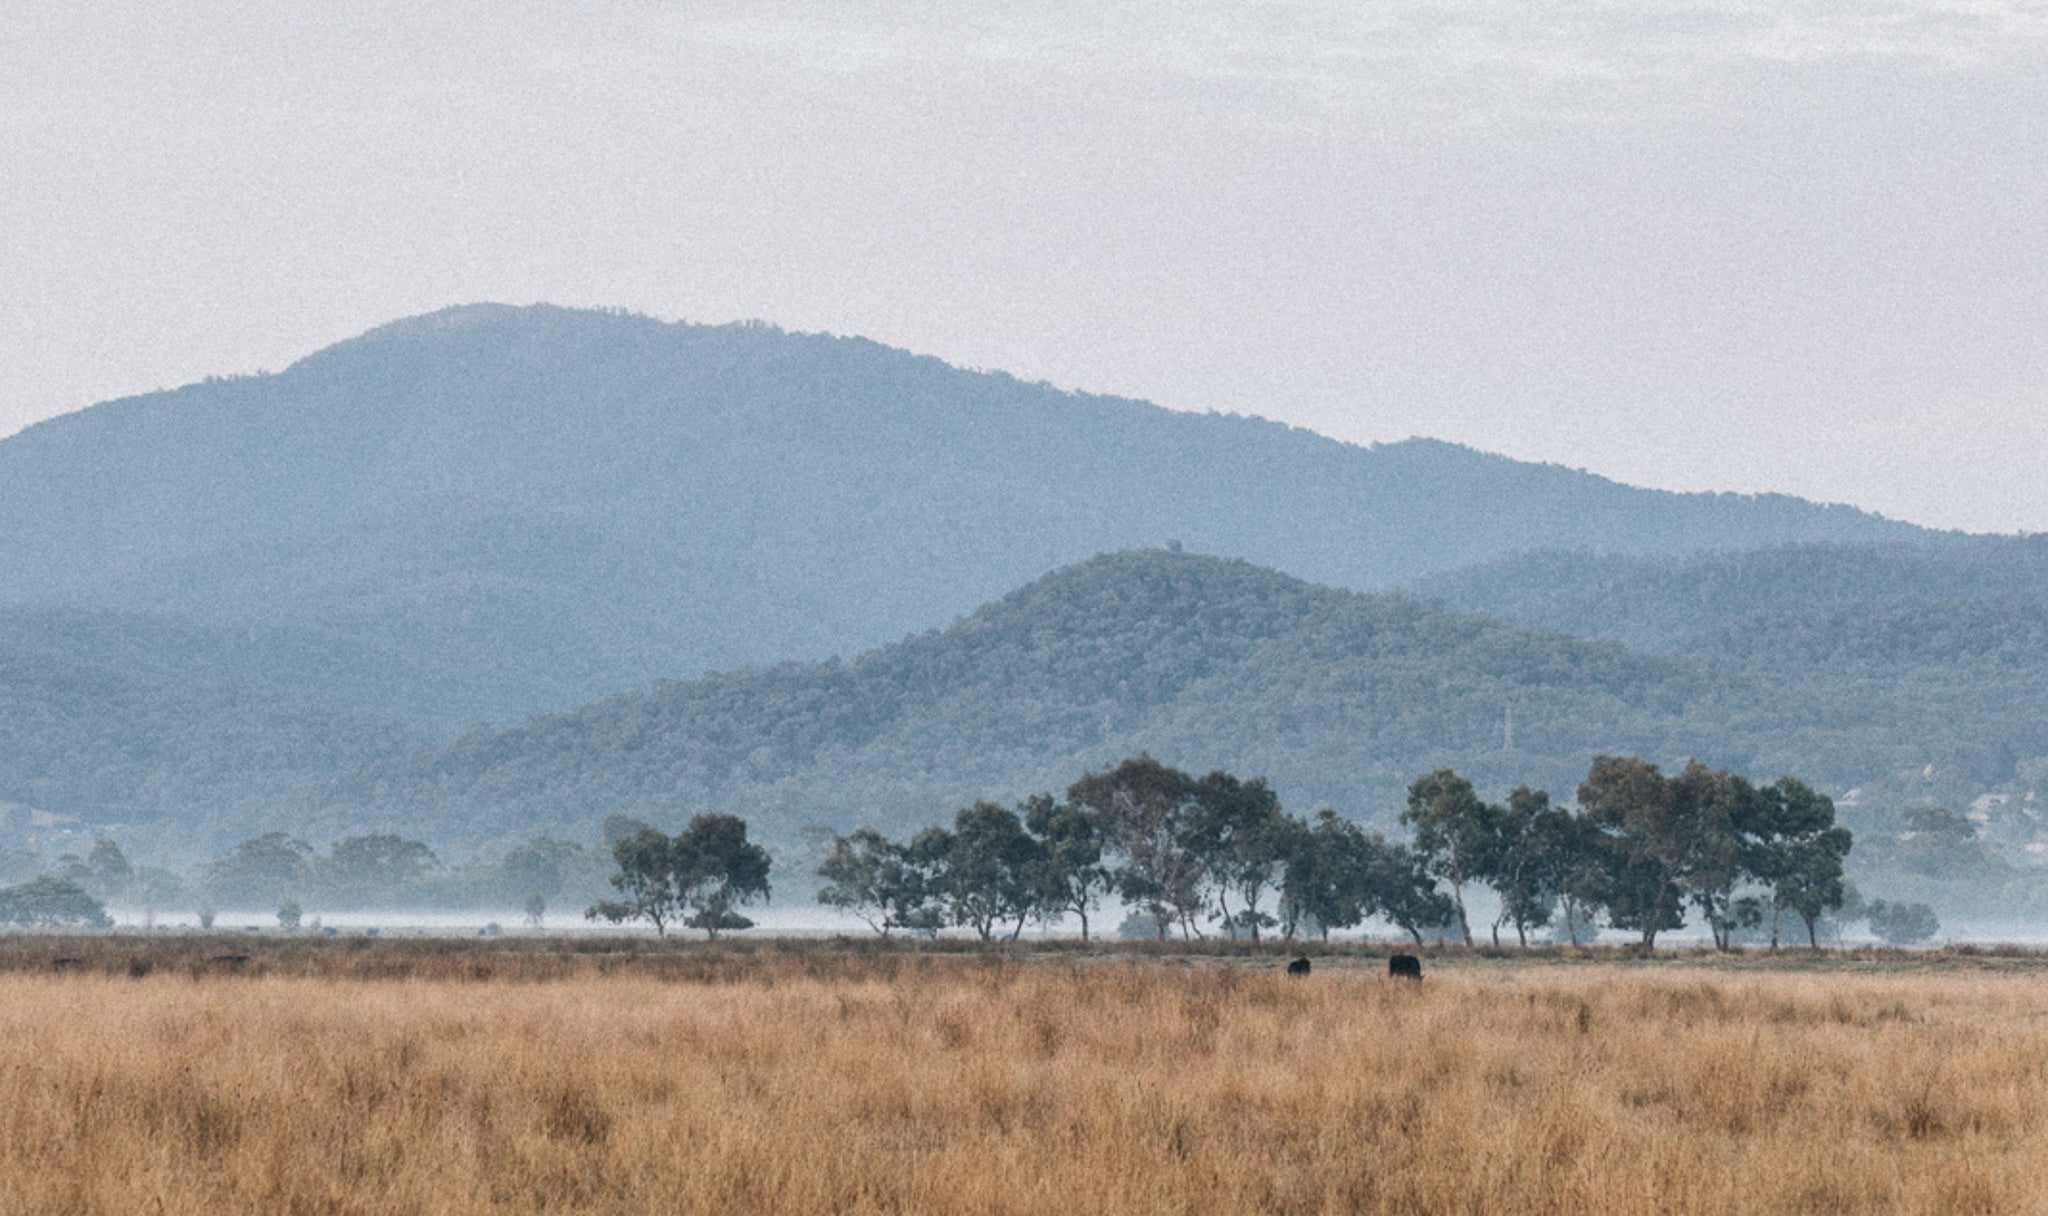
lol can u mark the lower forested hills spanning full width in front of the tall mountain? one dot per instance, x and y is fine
(1336, 697)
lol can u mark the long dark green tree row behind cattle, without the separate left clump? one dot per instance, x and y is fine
(1637, 851)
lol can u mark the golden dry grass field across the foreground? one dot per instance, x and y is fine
(388, 1080)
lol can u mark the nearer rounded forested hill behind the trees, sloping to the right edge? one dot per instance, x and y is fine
(1336, 697)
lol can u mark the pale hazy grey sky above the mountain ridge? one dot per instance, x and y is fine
(1701, 247)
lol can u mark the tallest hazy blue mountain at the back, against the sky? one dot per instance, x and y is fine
(490, 511)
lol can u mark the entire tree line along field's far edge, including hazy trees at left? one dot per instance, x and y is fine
(1639, 851)
